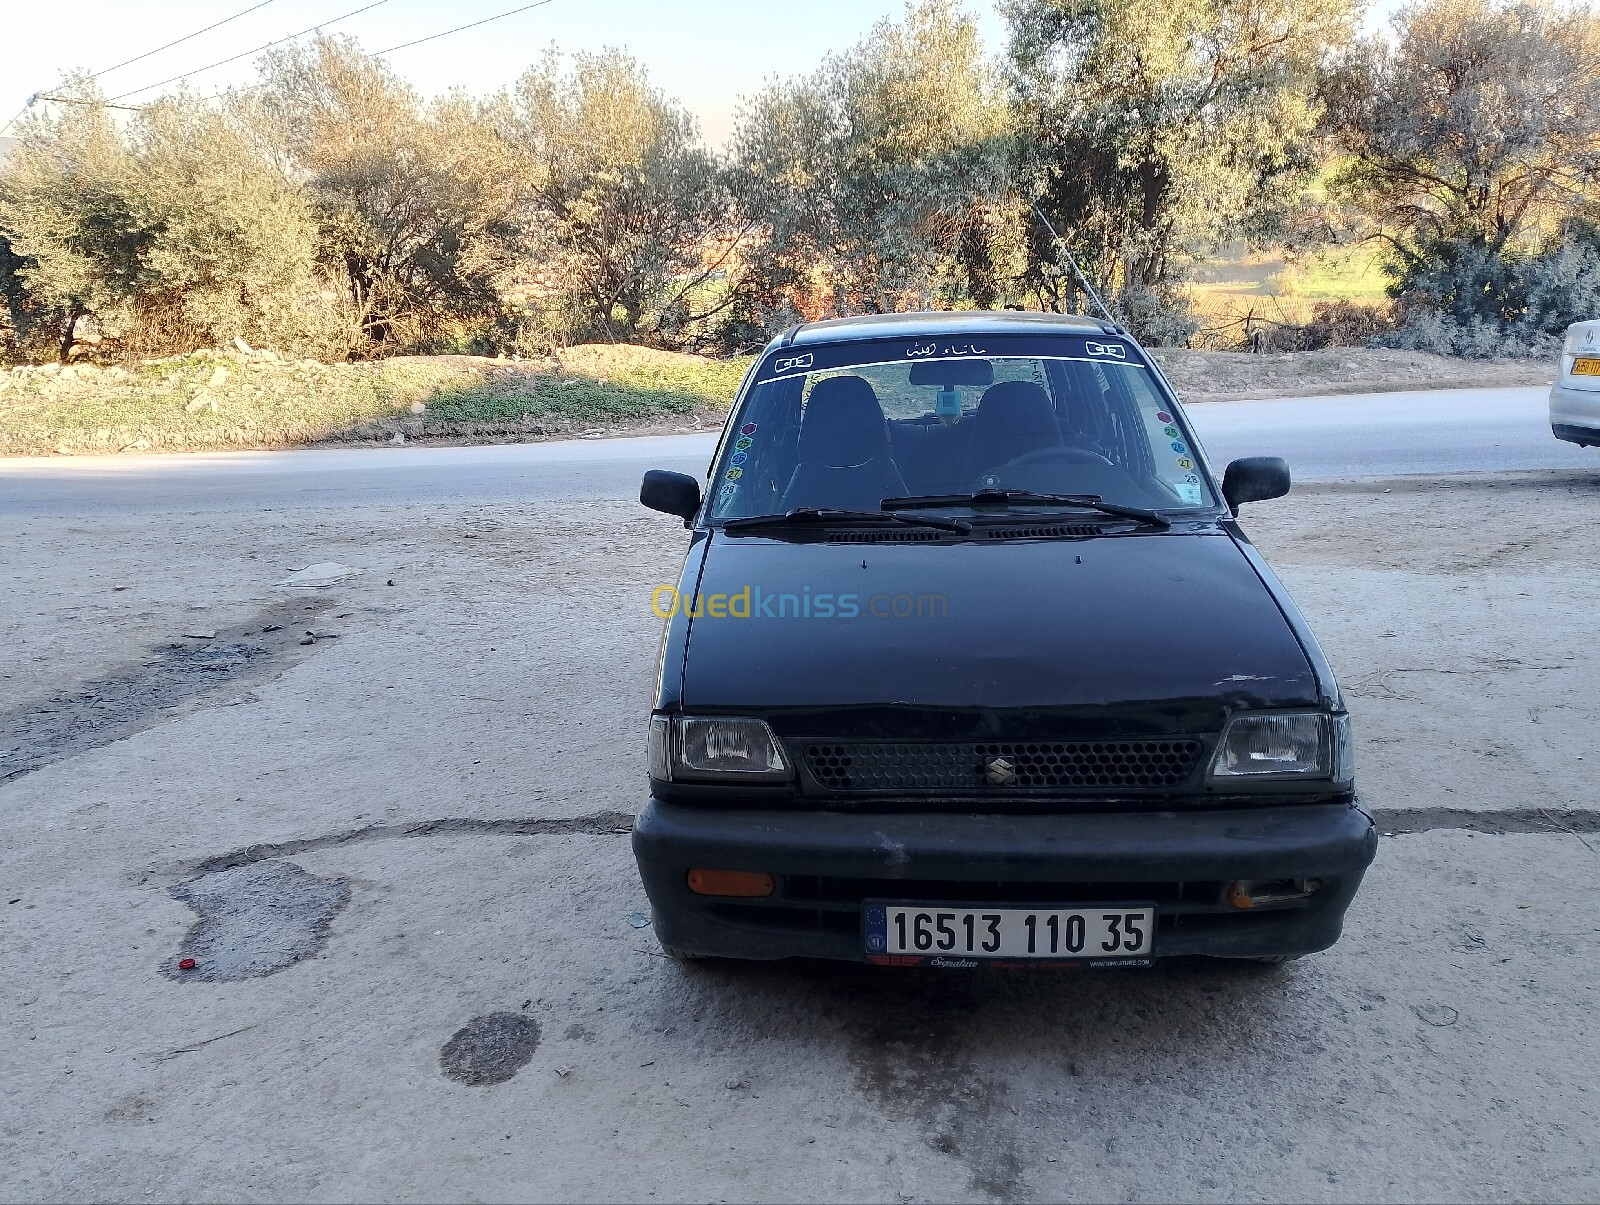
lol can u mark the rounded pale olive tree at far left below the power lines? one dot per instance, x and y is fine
(178, 230)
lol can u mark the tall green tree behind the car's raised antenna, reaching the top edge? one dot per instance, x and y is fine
(1156, 129)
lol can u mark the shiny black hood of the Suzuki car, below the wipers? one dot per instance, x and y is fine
(1129, 635)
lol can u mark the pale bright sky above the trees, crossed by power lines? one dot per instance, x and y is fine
(706, 54)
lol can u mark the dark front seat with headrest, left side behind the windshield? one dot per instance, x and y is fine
(844, 450)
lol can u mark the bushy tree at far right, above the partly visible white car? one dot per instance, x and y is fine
(1471, 142)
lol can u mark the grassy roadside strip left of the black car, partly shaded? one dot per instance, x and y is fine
(238, 401)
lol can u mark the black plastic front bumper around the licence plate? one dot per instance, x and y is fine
(828, 863)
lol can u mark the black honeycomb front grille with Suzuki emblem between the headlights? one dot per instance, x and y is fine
(929, 766)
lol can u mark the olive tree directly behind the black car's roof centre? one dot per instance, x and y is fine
(879, 178)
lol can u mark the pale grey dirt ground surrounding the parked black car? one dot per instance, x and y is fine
(430, 974)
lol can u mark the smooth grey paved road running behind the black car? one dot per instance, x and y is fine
(1324, 438)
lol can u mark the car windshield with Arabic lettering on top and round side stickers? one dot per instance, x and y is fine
(846, 426)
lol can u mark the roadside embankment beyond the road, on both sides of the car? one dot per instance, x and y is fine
(255, 399)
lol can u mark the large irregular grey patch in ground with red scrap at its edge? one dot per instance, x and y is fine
(255, 921)
